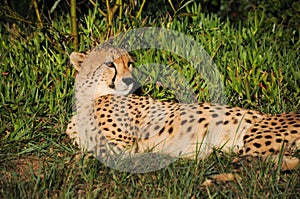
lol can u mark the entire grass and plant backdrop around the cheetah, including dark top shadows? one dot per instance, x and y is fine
(255, 45)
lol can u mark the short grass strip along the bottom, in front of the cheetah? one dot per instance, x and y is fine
(60, 177)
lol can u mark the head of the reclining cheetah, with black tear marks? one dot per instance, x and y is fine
(103, 70)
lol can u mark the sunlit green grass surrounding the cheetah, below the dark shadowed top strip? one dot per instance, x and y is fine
(259, 64)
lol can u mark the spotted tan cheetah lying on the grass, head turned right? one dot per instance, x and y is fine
(110, 121)
